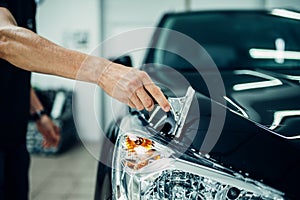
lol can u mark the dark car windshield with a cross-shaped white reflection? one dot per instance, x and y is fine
(245, 39)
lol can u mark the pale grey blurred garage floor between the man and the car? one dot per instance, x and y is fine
(69, 176)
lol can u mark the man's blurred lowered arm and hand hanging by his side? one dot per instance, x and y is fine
(44, 123)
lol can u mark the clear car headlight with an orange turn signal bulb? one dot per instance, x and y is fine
(145, 169)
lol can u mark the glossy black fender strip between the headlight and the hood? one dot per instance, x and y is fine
(251, 149)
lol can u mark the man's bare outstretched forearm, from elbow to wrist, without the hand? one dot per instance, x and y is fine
(31, 52)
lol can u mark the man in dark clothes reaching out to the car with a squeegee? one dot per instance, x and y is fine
(21, 52)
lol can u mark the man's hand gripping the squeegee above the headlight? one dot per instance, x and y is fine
(132, 86)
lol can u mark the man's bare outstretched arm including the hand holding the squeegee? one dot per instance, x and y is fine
(31, 52)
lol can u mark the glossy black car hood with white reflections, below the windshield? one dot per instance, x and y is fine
(270, 98)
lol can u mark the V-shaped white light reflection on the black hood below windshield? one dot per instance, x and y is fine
(271, 81)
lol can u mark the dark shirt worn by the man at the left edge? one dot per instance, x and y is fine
(15, 82)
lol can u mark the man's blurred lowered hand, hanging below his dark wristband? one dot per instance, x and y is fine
(49, 130)
